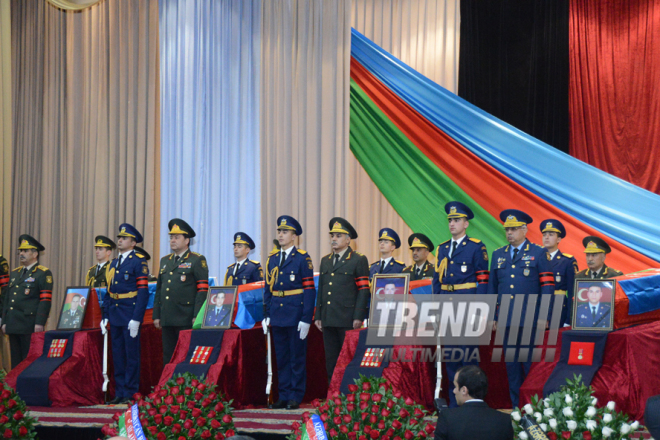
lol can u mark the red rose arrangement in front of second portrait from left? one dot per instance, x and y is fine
(186, 408)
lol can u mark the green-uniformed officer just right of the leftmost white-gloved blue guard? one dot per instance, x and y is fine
(183, 281)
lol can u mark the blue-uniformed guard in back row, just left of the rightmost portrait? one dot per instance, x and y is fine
(564, 266)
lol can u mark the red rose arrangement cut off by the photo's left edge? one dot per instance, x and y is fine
(14, 423)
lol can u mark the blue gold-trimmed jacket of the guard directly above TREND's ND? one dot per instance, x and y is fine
(468, 265)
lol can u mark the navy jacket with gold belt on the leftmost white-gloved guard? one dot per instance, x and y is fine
(130, 279)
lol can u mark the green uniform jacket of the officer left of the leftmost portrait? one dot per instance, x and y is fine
(27, 299)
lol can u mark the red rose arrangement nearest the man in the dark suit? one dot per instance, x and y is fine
(371, 410)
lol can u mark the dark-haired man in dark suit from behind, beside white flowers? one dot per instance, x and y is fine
(470, 388)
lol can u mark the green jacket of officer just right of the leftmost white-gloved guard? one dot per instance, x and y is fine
(181, 288)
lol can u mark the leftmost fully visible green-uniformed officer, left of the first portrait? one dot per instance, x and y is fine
(27, 299)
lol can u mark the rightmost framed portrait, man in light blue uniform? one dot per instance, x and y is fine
(593, 305)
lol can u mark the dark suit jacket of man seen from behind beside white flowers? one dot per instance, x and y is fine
(474, 421)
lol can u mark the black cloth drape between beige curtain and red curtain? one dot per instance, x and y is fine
(514, 64)
